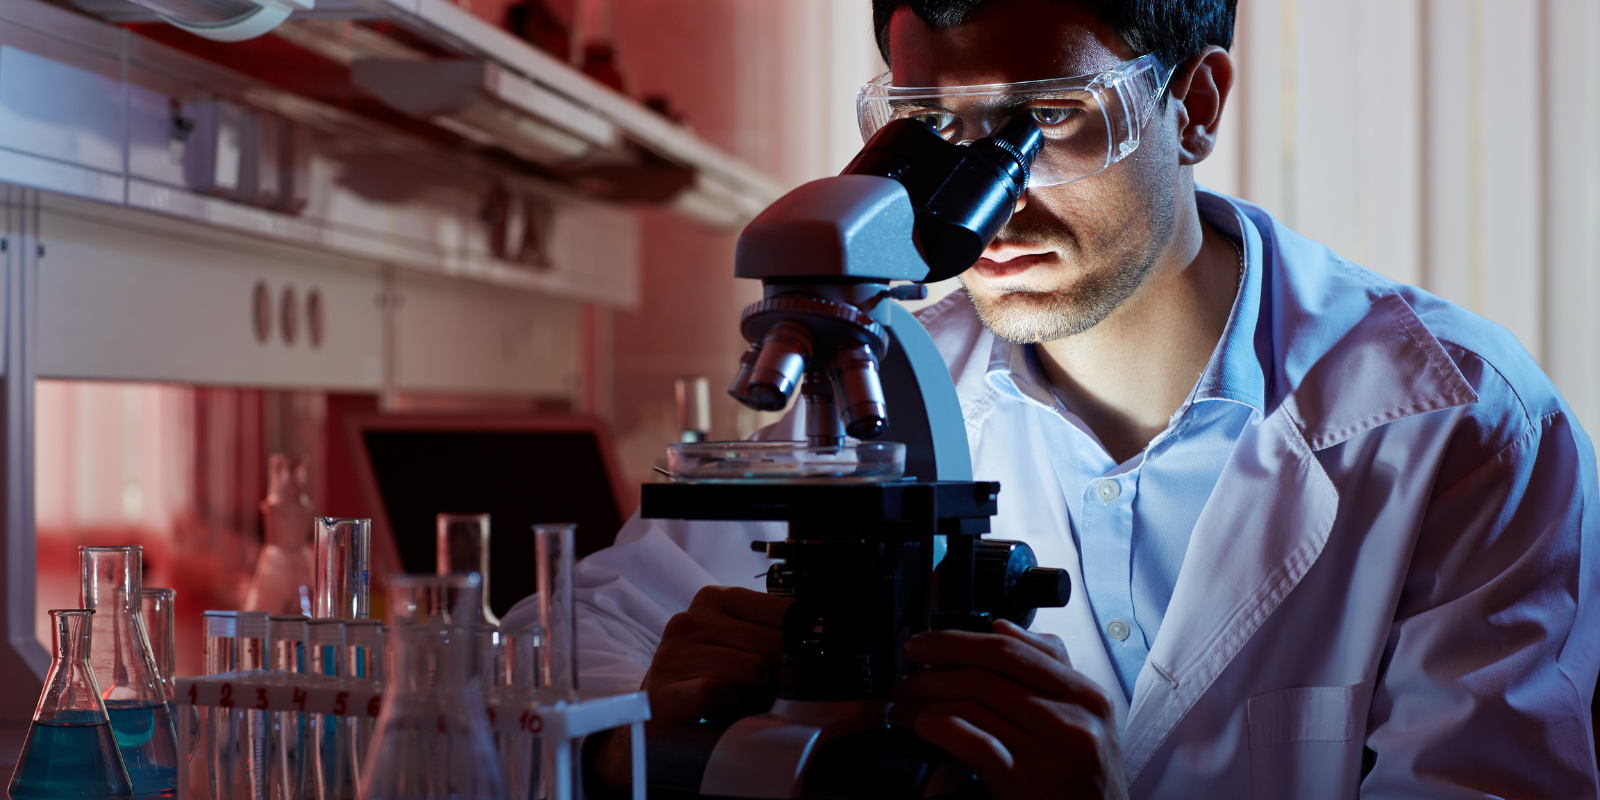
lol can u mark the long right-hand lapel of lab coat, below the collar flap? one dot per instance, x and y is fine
(1265, 527)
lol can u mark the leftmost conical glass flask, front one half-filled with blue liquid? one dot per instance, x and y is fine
(71, 750)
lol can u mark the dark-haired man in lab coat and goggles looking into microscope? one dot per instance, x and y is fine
(1329, 537)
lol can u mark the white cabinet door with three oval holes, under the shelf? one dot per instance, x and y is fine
(134, 297)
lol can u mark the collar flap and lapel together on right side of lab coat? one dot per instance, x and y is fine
(1274, 506)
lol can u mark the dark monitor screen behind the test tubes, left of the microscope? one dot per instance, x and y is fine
(521, 470)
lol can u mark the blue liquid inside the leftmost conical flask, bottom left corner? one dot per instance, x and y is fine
(70, 758)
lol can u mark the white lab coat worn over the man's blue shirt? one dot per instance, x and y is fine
(1399, 558)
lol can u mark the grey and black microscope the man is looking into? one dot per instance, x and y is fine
(868, 562)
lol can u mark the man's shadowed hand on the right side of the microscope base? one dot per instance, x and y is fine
(1010, 706)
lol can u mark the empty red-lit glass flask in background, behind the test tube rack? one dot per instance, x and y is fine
(284, 575)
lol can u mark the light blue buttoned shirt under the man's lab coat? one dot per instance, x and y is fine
(1132, 521)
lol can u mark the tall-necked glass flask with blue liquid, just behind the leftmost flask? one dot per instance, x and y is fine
(127, 674)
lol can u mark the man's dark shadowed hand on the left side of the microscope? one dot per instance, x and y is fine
(719, 660)
